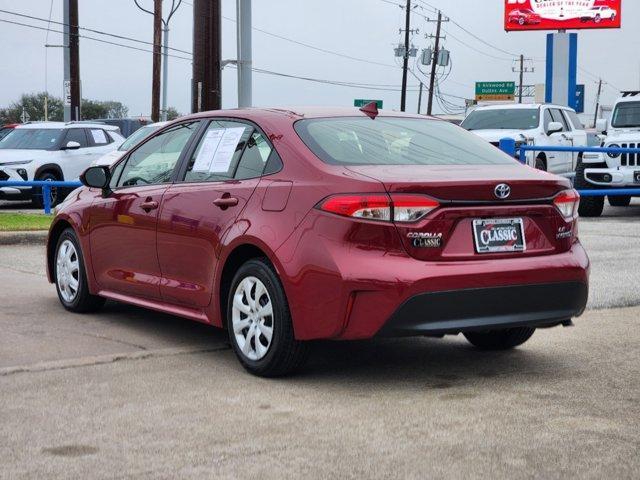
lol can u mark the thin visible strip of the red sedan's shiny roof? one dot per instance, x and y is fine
(297, 113)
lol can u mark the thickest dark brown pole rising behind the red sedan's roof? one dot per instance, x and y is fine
(206, 91)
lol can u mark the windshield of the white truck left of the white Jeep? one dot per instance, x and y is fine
(503, 119)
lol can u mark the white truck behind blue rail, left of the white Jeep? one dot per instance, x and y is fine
(532, 124)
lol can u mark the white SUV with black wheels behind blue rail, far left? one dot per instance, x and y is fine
(51, 151)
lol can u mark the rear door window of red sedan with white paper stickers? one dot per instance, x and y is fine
(217, 156)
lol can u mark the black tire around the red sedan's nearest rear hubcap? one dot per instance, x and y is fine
(285, 354)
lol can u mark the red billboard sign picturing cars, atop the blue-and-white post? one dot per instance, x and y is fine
(522, 15)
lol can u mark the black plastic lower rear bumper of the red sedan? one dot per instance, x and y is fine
(451, 312)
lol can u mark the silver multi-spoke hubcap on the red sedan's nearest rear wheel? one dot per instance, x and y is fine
(252, 318)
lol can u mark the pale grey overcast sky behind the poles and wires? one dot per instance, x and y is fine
(366, 29)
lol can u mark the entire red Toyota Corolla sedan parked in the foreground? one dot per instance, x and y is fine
(284, 226)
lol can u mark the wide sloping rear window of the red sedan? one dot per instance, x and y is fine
(395, 141)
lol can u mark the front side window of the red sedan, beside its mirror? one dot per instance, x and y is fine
(155, 160)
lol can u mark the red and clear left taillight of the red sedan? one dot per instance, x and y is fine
(399, 208)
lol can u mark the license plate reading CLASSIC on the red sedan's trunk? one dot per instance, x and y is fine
(499, 235)
